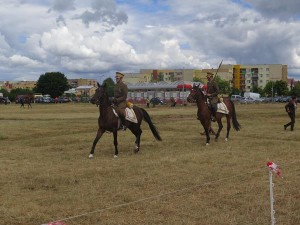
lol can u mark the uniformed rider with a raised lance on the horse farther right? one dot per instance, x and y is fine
(212, 92)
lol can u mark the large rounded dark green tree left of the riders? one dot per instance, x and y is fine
(53, 83)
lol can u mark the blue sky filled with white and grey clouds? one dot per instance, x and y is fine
(96, 38)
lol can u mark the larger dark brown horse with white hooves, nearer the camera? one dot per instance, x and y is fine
(108, 121)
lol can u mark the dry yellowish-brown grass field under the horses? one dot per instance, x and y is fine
(46, 174)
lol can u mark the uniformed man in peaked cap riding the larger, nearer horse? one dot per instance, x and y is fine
(120, 96)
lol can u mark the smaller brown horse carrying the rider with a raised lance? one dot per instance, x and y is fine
(204, 113)
